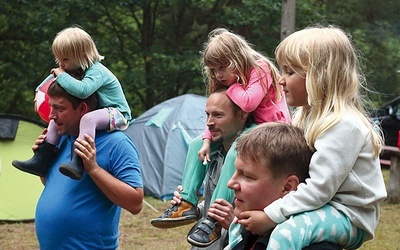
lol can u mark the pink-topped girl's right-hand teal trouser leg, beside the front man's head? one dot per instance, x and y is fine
(228, 169)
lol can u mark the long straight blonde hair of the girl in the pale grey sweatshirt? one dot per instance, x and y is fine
(333, 80)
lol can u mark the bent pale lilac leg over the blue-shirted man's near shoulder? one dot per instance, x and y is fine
(98, 119)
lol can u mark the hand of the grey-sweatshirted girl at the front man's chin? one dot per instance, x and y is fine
(256, 222)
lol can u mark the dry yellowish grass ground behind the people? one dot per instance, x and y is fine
(137, 232)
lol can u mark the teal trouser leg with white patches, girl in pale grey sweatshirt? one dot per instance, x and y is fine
(324, 224)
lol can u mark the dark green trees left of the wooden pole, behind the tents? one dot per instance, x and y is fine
(152, 46)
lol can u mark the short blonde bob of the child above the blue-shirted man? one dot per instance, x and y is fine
(77, 45)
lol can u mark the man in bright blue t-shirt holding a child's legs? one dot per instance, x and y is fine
(85, 214)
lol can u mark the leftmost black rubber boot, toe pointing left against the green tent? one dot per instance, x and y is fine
(40, 162)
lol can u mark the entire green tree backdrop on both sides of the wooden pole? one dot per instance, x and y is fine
(153, 45)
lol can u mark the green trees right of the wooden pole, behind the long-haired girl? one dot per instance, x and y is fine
(375, 29)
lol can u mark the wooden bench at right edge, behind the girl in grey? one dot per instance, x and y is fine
(394, 178)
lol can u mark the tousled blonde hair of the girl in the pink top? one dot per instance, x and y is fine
(226, 48)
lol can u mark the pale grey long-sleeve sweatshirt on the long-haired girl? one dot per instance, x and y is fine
(344, 173)
